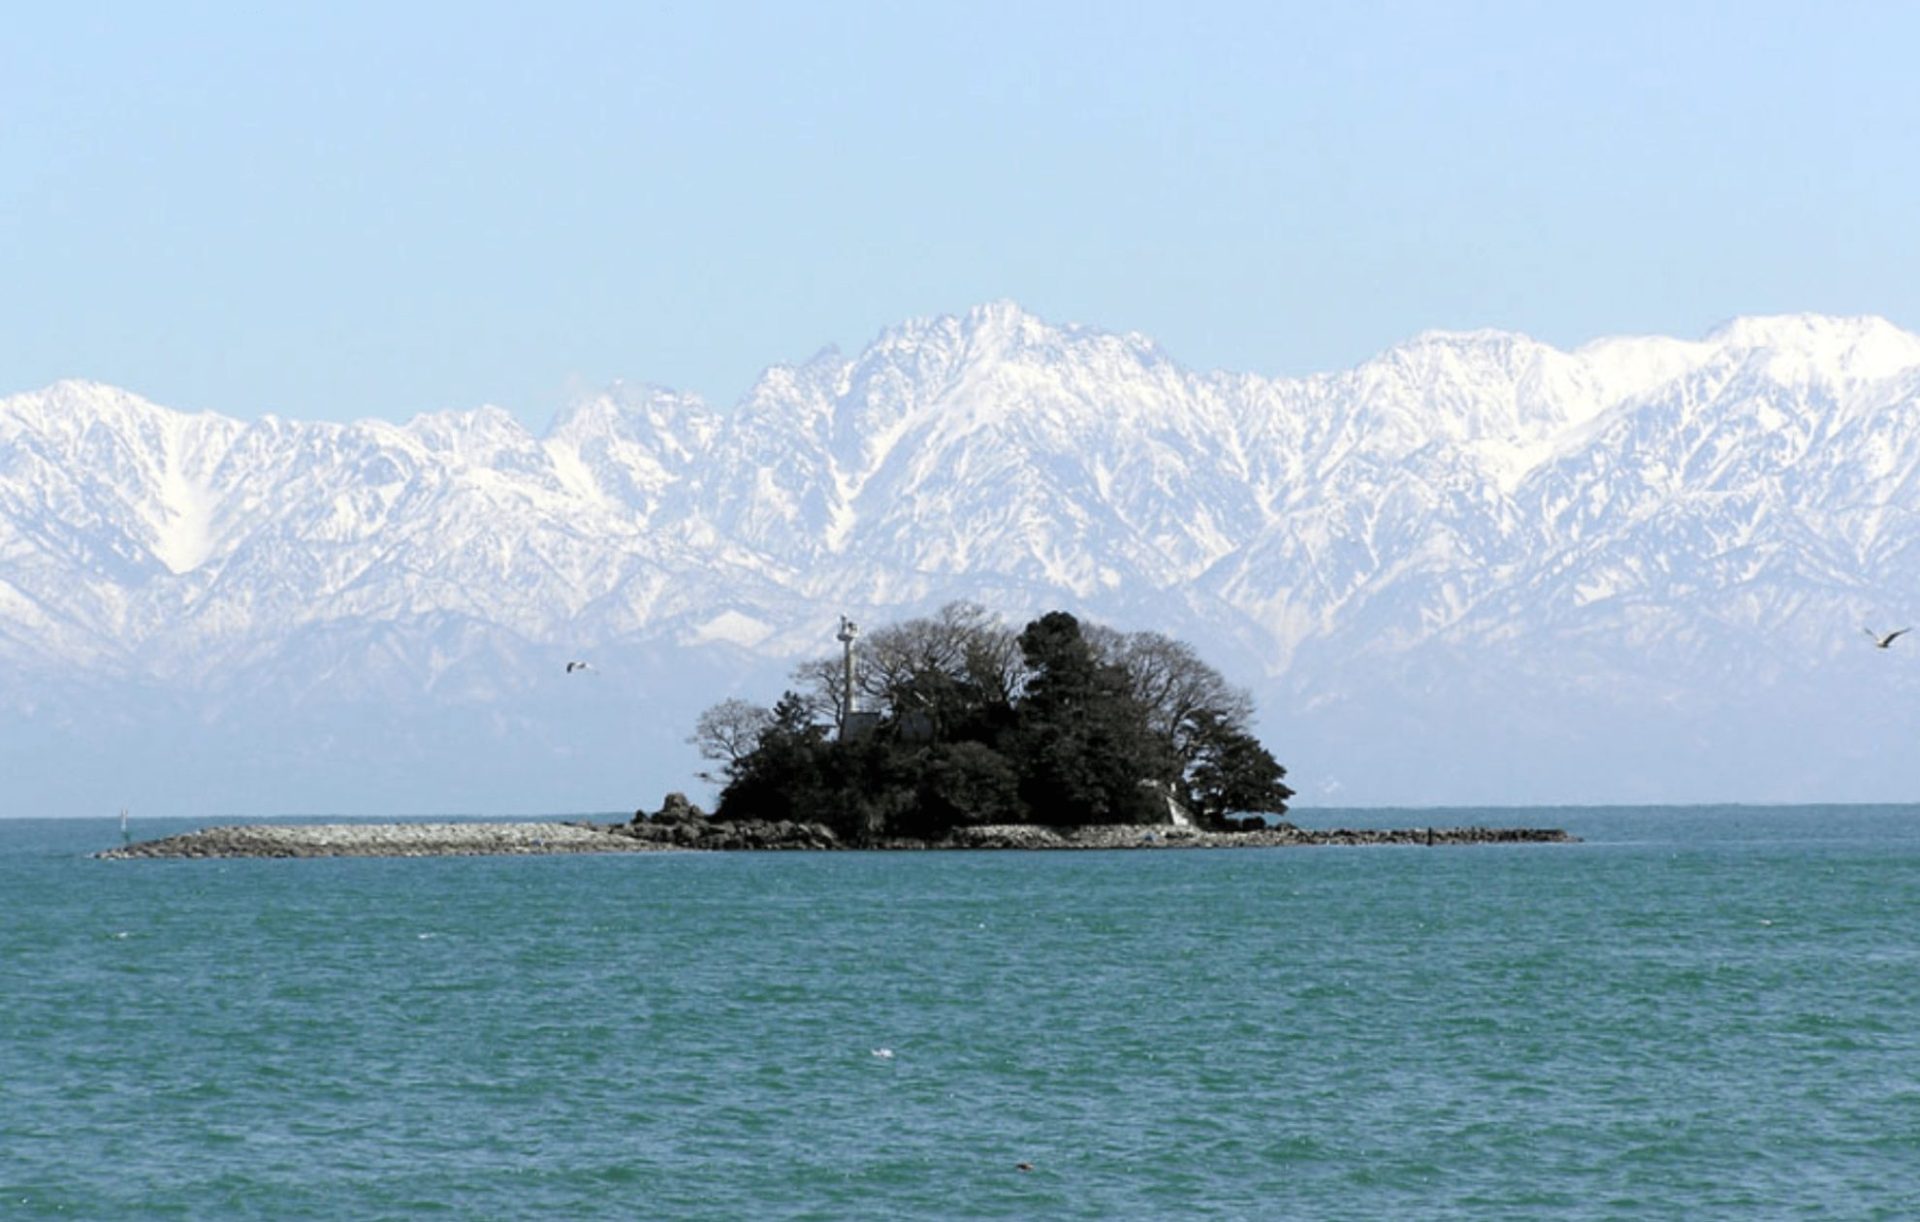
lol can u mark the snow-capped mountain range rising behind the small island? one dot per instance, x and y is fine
(1476, 570)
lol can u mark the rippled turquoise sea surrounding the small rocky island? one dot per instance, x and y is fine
(1702, 1012)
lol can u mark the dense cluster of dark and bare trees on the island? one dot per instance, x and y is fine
(967, 723)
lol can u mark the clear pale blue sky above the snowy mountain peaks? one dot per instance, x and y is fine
(350, 210)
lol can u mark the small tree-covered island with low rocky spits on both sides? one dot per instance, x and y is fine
(940, 733)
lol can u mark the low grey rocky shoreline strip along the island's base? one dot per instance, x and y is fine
(700, 835)
